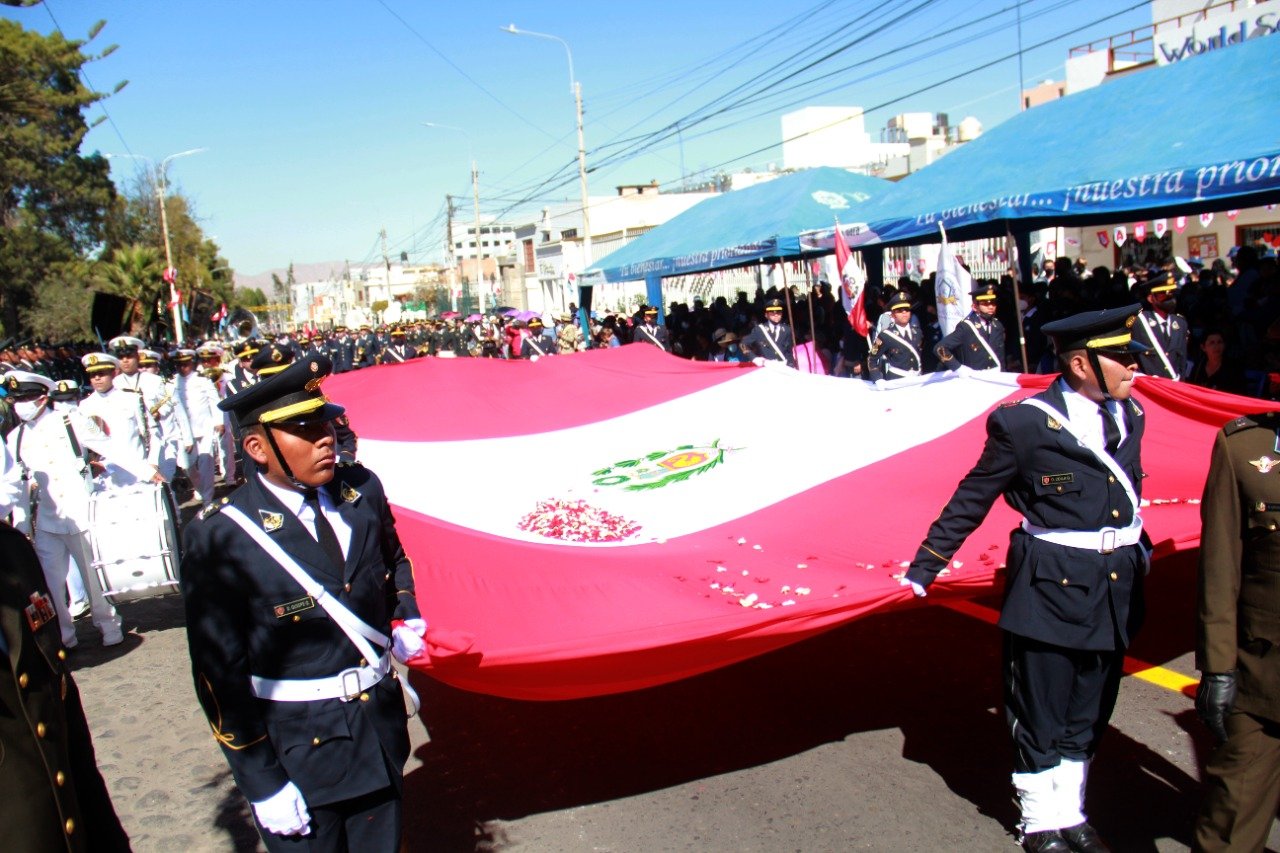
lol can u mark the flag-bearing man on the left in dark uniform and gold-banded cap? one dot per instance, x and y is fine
(291, 650)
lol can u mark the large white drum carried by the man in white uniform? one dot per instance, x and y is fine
(135, 539)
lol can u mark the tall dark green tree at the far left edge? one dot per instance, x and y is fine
(53, 200)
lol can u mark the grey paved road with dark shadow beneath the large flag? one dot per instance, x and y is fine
(883, 736)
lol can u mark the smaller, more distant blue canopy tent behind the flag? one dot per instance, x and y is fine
(758, 225)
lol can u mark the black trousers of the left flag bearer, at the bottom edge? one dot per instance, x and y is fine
(371, 823)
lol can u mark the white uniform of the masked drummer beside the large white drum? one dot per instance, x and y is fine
(44, 453)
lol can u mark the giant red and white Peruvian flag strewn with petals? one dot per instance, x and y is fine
(618, 519)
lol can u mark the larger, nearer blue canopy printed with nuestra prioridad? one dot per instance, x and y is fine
(1195, 136)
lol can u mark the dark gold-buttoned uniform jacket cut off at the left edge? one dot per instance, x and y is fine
(52, 795)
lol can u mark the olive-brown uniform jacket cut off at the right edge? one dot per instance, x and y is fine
(1240, 580)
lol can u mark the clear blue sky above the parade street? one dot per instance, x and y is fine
(313, 111)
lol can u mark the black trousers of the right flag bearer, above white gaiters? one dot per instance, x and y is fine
(1058, 701)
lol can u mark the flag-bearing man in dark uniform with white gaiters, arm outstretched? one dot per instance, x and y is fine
(1069, 460)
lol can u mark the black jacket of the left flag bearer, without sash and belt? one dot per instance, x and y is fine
(248, 617)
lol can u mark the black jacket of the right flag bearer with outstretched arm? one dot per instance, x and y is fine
(1069, 597)
